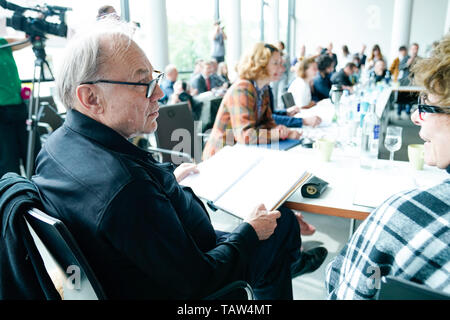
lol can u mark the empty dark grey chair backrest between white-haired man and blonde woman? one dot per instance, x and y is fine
(176, 132)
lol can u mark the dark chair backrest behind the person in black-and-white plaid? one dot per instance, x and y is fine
(393, 288)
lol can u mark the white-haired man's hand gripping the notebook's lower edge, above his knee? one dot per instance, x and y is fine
(264, 222)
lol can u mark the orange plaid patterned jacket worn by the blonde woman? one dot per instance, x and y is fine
(238, 119)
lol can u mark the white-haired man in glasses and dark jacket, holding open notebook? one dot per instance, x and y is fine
(145, 236)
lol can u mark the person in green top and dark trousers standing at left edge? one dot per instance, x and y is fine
(13, 111)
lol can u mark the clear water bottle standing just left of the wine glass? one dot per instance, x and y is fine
(370, 138)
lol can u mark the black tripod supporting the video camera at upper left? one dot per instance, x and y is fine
(34, 111)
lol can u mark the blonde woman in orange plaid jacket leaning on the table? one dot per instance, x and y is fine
(245, 115)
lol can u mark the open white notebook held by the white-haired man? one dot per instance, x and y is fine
(239, 178)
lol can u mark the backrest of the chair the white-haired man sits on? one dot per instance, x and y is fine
(55, 242)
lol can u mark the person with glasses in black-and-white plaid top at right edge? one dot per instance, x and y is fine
(408, 235)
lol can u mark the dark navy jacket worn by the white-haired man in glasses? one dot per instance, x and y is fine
(144, 235)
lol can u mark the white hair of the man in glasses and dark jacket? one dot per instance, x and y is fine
(87, 52)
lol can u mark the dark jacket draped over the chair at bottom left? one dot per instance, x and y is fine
(22, 271)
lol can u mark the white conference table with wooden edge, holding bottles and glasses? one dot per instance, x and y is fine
(354, 192)
